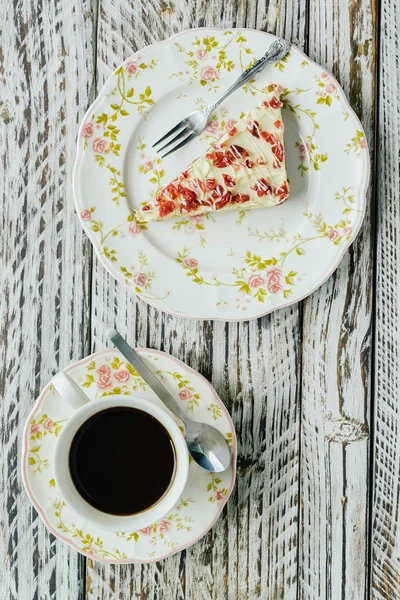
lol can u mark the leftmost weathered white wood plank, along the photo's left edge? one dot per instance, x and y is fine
(45, 73)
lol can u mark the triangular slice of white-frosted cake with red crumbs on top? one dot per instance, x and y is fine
(244, 169)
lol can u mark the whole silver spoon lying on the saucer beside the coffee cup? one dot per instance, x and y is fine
(206, 444)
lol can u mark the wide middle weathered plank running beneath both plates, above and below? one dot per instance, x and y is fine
(251, 551)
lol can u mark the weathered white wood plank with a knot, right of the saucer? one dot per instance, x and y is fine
(337, 351)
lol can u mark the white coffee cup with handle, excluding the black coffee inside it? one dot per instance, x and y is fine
(86, 408)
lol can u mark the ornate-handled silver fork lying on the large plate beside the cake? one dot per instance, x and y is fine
(194, 123)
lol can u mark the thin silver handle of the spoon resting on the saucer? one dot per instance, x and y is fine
(146, 374)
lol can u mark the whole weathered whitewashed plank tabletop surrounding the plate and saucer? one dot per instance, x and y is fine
(313, 389)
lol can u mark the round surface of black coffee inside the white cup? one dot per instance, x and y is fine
(122, 460)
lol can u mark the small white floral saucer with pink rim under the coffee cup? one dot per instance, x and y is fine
(106, 373)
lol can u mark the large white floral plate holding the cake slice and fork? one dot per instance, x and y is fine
(227, 266)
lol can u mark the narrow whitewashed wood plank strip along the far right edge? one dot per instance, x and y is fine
(386, 530)
